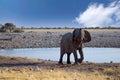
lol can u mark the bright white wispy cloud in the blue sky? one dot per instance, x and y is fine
(99, 15)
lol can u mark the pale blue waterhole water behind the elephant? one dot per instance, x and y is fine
(90, 54)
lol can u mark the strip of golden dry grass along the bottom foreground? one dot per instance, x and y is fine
(46, 74)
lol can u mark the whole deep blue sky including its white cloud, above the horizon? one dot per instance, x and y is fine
(60, 13)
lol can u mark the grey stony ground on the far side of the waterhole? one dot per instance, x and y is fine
(34, 38)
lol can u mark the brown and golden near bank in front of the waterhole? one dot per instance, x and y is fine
(16, 68)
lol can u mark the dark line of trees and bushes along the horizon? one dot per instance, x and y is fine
(10, 27)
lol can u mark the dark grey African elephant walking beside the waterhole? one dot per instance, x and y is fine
(71, 42)
